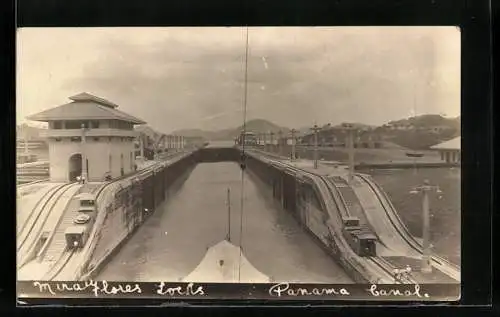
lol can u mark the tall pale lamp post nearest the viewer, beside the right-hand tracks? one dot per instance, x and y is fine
(426, 254)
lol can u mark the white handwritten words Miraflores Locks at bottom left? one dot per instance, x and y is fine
(104, 288)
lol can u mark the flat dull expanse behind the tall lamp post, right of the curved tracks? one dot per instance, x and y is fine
(445, 208)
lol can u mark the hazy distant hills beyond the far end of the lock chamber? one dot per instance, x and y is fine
(255, 125)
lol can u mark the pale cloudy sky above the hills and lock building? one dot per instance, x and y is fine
(177, 78)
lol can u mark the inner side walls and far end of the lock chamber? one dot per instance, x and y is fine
(298, 197)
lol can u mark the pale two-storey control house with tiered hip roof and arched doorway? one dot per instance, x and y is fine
(89, 136)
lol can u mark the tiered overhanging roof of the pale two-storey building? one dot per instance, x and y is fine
(85, 106)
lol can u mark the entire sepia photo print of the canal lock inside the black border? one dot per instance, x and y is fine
(306, 160)
